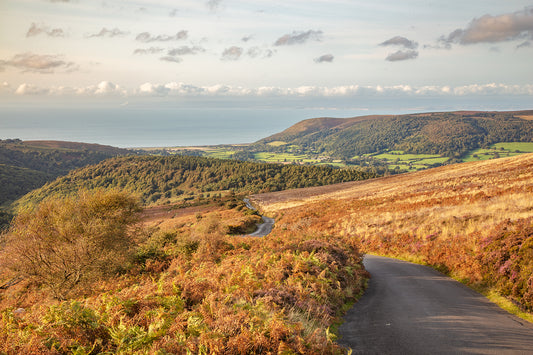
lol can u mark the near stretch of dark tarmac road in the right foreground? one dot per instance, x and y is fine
(412, 309)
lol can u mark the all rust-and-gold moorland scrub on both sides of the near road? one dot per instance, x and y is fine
(190, 281)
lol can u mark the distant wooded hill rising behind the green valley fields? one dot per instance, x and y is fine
(448, 134)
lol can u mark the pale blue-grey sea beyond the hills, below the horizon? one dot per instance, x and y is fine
(143, 128)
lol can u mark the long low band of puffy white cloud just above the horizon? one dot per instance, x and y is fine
(174, 89)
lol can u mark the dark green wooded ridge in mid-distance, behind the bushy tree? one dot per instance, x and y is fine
(167, 179)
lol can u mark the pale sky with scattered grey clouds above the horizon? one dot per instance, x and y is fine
(348, 56)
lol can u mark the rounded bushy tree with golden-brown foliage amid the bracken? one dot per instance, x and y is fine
(65, 244)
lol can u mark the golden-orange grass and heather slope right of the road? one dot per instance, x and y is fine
(473, 221)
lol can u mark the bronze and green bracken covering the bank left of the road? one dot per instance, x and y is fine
(188, 287)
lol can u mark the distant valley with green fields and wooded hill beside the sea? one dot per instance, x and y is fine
(387, 144)
